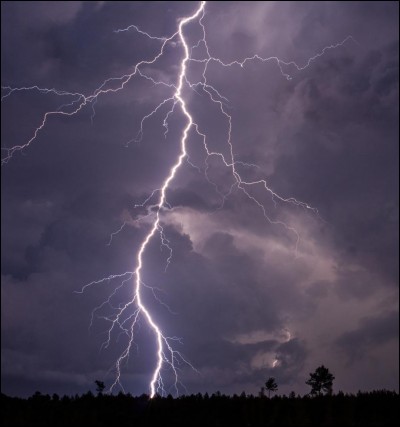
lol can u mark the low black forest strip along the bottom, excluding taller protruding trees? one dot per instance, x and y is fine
(377, 408)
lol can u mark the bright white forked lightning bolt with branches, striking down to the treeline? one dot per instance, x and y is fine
(124, 317)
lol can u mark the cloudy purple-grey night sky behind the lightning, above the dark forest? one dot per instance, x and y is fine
(246, 303)
